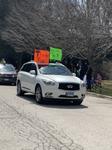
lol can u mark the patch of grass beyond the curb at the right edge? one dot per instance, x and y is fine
(106, 88)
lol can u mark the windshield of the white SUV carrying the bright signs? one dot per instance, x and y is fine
(55, 70)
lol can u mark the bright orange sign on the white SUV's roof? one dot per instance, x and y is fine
(41, 56)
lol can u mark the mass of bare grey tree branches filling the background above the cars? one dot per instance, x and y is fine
(80, 27)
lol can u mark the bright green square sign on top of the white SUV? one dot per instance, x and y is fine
(55, 54)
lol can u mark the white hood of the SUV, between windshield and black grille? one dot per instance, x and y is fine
(63, 79)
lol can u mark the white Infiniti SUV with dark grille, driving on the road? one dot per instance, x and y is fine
(52, 81)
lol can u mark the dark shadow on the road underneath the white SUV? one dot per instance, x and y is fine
(62, 104)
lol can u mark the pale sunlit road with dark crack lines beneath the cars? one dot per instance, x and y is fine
(25, 125)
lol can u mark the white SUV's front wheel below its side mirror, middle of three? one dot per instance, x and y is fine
(38, 94)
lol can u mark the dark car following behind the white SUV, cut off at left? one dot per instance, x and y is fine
(7, 74)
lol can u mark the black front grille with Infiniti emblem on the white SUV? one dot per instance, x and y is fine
(69, 86)
